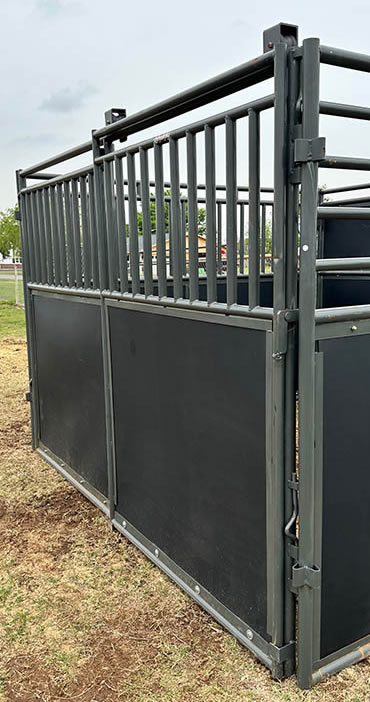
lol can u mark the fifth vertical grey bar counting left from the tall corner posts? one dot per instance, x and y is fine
(176, 218)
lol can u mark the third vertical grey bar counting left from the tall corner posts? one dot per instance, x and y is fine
(209, 134)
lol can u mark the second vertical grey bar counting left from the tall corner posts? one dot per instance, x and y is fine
(231, 198)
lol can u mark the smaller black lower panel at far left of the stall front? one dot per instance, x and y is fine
(71, 387)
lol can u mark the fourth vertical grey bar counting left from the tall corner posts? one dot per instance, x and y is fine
(191, 157)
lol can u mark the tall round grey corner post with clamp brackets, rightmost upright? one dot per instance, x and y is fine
(306, 356)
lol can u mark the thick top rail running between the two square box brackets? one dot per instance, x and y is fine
(238, 78)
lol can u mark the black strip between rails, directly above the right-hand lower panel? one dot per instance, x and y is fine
(344, 290)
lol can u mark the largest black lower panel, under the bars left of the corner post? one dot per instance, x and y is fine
(189, 405)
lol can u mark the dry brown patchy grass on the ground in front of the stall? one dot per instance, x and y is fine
(84, 616)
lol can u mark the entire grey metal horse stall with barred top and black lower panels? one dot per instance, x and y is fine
(165, 364)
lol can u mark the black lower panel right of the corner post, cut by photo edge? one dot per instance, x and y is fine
(345, 609)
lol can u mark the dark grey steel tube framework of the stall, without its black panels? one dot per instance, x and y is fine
(98, 271)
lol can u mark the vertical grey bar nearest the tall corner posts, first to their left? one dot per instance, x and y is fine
(254, 209)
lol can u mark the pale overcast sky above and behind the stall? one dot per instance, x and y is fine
(64, 62)
